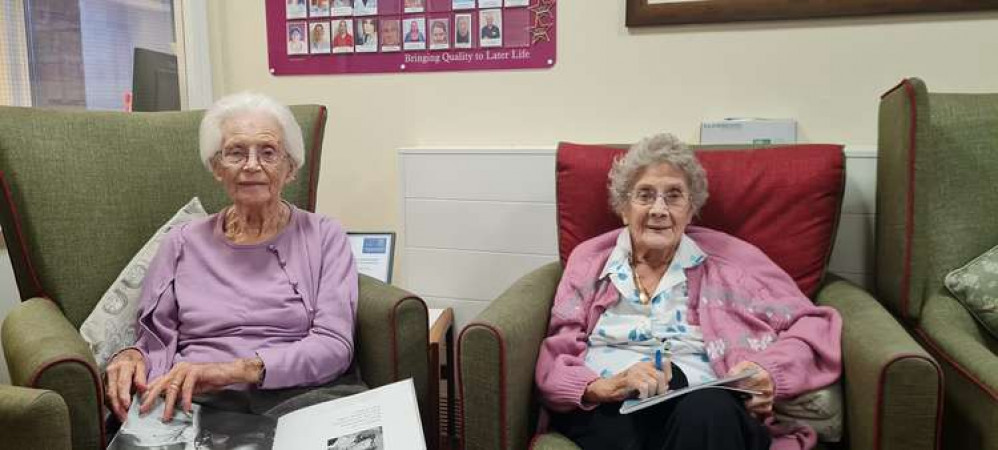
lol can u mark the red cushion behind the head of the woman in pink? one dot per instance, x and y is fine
(784, 200)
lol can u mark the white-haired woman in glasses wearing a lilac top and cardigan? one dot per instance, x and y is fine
(260, 296)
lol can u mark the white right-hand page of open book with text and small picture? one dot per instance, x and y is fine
(386, 418)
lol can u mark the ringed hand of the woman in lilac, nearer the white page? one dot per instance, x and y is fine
(187, 379)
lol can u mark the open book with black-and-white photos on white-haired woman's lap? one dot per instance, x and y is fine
(385, 418)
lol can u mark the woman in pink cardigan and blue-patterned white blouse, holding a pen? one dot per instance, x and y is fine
(712, 304)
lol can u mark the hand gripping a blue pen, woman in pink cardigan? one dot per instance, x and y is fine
(641, 379)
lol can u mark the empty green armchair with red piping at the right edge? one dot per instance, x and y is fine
(936, 208)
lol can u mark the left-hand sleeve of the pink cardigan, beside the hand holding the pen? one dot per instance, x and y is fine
(561, 374)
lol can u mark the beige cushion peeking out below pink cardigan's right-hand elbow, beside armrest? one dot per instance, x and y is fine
(821, 409)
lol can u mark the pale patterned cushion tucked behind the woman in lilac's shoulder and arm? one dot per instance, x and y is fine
(111, 326)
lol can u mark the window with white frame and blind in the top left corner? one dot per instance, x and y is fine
(81, 53)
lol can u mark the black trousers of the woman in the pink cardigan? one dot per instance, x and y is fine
(709, 419)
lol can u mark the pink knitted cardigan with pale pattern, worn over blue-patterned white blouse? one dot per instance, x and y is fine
(746, 306)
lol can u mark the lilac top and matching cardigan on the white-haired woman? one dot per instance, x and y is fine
(291, 300)
